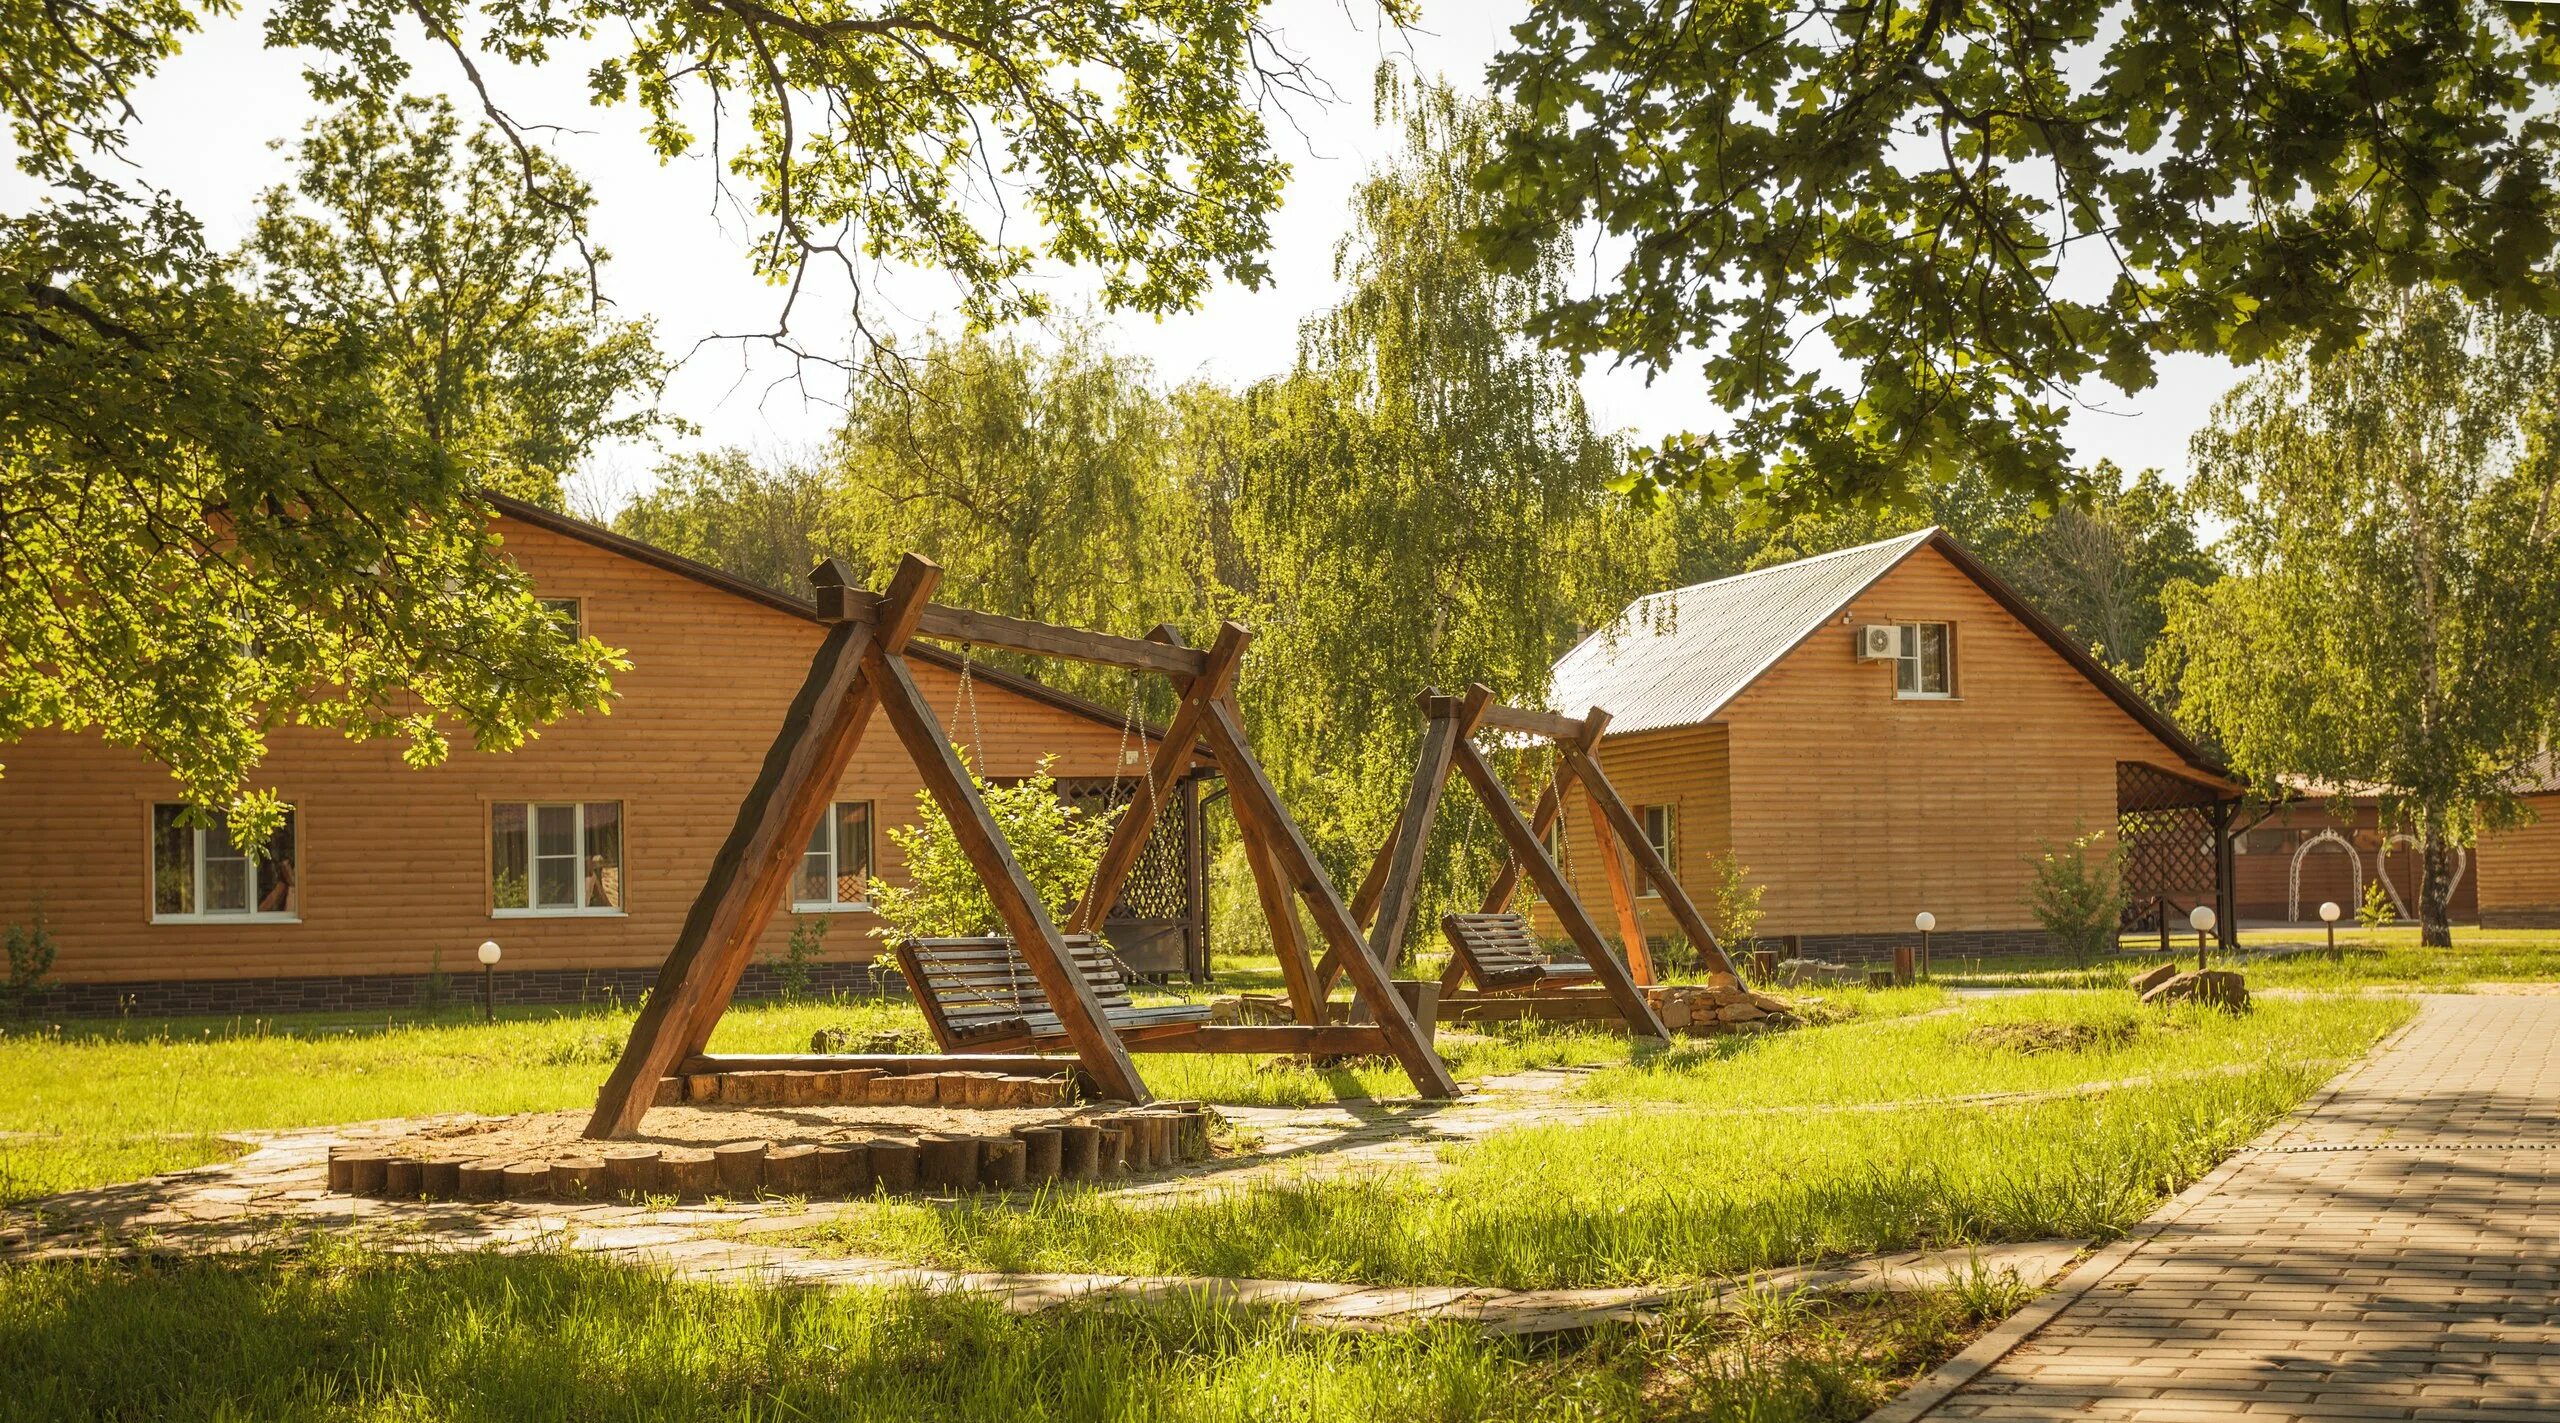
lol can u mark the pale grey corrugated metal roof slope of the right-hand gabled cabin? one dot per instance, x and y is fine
(1676, 659)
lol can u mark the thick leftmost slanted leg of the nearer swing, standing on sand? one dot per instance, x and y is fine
(746, 882)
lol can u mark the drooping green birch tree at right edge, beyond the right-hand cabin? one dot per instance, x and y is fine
(2392, 618)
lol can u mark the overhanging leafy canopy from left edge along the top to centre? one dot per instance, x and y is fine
(239, 488)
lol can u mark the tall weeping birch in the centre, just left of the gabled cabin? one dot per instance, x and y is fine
(1422, 500)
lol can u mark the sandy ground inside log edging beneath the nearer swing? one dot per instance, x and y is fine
(562, 1133)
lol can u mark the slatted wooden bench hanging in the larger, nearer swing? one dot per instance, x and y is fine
(982, 992)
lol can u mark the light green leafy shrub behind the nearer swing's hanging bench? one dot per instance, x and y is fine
(1053, 843)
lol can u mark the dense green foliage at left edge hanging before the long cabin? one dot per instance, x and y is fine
(237, 490)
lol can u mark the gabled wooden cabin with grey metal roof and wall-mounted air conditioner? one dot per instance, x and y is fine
(1888, 731)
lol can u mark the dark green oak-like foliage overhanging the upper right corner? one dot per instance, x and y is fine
(1975, 209)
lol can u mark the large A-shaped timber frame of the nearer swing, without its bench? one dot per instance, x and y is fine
(861, 669)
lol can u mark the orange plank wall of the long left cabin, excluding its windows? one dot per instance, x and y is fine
(393, 864)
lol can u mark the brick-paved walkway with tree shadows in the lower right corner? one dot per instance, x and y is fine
(2395, 1253)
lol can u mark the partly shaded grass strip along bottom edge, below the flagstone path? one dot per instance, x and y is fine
(342, 1335)
